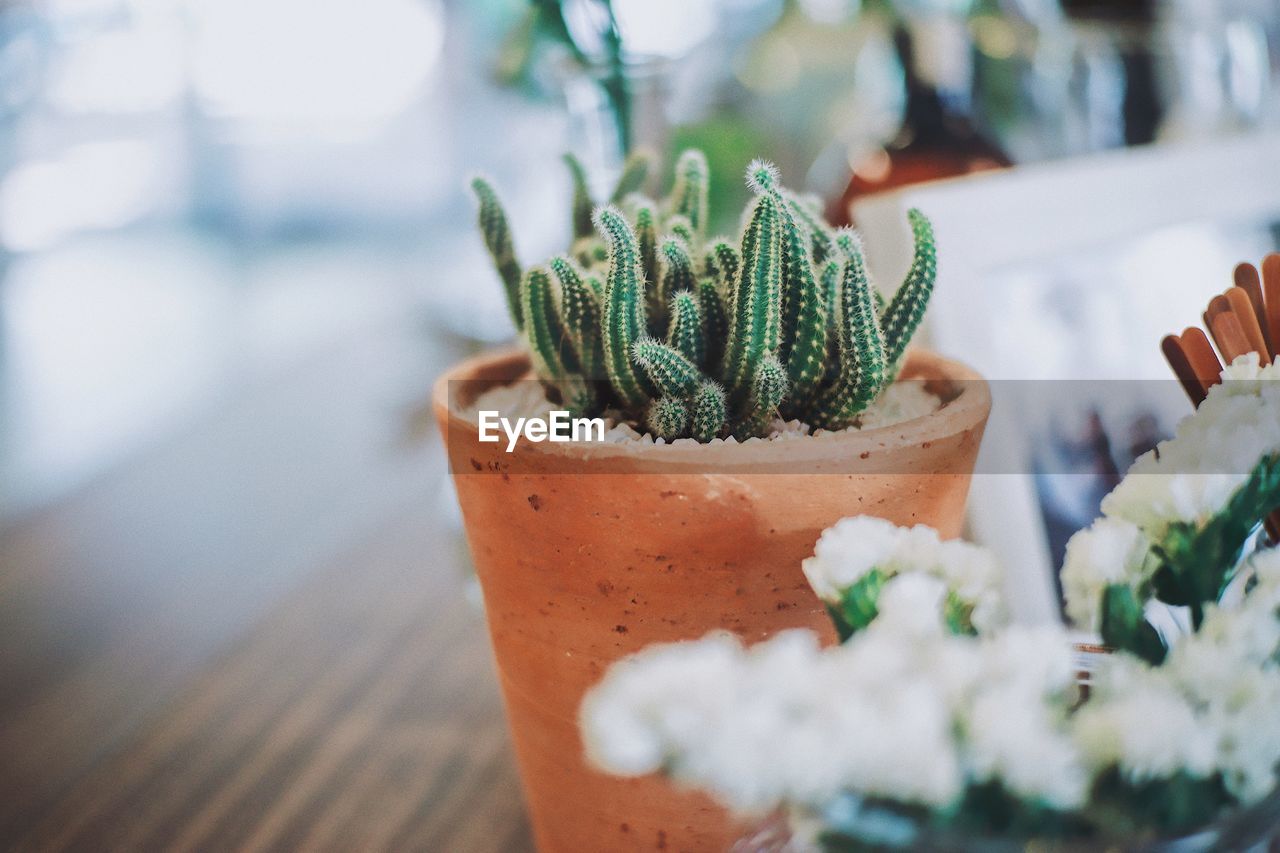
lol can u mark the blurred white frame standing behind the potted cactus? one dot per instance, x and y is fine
(1053, 209)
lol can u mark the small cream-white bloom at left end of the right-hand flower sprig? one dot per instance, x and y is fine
(1112, 551)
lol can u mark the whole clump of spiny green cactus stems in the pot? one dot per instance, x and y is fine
(696, 337)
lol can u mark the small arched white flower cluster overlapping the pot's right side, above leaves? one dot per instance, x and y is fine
(853, 548)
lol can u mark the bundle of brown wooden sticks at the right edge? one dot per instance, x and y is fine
(1244, 320)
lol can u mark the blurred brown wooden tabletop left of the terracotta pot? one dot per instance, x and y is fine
(258, 637)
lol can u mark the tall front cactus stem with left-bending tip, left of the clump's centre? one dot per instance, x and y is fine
(624, 307)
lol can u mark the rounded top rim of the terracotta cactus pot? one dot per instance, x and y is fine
(968, 409)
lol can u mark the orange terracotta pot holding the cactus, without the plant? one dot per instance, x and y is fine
(589, 553)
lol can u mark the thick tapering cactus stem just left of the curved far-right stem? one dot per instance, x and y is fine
(862, 350)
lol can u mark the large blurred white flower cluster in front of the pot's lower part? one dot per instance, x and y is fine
(903, 711)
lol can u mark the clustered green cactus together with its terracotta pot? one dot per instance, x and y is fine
(703, 355)
